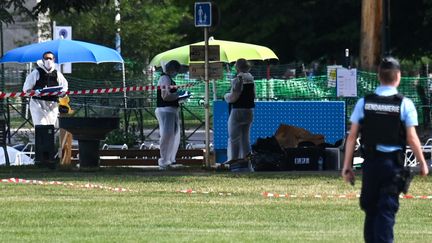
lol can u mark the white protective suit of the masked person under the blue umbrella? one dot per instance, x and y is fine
(43, 112)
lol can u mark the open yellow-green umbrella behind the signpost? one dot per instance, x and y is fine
(230, 51)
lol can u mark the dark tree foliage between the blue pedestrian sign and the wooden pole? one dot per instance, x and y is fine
(295, 30)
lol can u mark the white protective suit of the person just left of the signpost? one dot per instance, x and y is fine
(169, 125)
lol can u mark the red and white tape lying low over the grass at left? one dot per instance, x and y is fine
(87, 186)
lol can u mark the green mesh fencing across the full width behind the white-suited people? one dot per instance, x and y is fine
(278, 88)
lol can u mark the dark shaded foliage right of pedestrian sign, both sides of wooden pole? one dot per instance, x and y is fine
(319, 29)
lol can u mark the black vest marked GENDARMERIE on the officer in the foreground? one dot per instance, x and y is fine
(382, 123)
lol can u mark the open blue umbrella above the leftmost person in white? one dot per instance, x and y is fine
(65, 51)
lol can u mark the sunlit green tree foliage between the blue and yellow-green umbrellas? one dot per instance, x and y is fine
(146, 28)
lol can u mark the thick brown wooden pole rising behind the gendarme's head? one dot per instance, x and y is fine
(371, 34)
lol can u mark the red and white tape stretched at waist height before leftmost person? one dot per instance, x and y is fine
(94, 91)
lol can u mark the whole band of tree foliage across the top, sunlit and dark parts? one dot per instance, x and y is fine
(296, 30)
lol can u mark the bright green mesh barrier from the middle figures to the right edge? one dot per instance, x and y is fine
(316, 88)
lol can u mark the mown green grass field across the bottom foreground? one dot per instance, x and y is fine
(227, 207)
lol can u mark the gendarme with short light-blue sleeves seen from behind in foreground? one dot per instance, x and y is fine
(386, 121)
